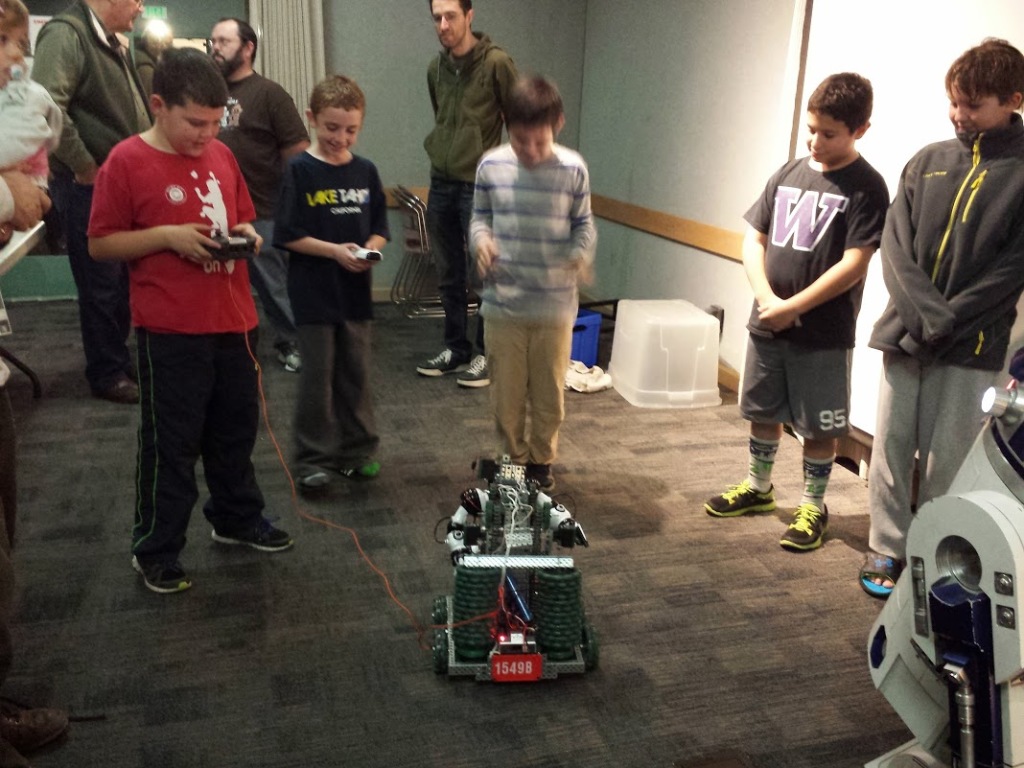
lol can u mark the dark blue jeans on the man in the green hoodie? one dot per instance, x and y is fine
(449, 209)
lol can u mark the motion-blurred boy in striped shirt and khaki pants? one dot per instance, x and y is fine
(534, 238)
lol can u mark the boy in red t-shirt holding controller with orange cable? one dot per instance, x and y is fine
(160, 199)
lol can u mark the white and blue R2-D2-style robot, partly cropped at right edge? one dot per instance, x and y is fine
(948, 651)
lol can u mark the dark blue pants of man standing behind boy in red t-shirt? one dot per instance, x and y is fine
(103, 289)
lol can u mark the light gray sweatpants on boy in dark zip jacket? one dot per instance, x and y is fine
(932, 413)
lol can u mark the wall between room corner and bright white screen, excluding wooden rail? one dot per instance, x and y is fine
(688, 109)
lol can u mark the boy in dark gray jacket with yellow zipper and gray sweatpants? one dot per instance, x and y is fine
(953, 258)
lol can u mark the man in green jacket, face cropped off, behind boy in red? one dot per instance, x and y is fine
(88, 71)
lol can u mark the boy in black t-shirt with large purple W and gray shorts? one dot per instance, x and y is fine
(806, 252)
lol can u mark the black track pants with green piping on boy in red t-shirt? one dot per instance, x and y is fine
(200, 396)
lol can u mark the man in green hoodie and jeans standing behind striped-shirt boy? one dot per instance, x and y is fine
(470, 84)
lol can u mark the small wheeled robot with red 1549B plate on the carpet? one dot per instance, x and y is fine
(517, 614)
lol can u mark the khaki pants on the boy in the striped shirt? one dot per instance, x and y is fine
(528, 363)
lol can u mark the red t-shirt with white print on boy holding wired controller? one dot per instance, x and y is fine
(139, 188)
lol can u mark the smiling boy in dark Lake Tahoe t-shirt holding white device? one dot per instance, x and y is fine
(332, 207)
